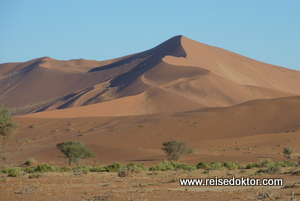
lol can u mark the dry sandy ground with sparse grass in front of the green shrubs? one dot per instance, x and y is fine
(144, 185)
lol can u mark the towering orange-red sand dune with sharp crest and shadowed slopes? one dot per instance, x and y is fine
(182, 70)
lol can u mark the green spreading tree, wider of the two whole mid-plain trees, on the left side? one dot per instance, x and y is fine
(75, 151)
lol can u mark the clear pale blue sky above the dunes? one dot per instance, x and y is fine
(265, 30)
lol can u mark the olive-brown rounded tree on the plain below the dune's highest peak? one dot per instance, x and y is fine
(175, 149)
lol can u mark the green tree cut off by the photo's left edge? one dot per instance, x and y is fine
(7, 126)
